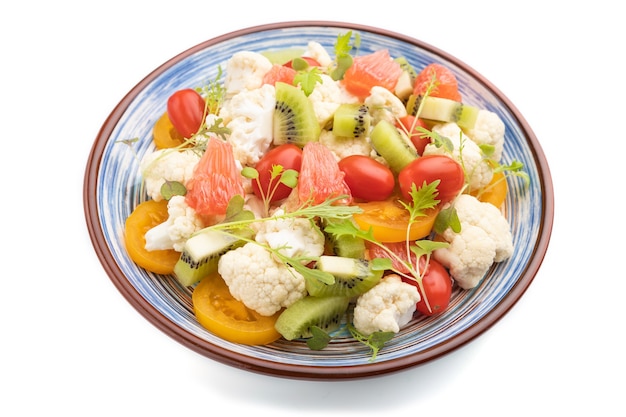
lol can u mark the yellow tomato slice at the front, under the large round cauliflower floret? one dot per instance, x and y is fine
(221, 314)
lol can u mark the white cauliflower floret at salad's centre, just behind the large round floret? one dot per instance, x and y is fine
(294, 238)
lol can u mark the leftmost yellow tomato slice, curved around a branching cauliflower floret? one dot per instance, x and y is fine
(143, 218)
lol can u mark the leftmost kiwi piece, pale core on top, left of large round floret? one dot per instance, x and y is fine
(201, 255)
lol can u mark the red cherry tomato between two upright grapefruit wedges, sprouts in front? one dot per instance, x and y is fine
(289, 156)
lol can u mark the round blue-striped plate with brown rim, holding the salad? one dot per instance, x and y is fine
(112, 188)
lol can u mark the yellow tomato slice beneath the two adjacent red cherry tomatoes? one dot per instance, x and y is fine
(389, 220)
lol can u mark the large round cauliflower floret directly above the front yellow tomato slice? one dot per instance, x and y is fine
(260, 282)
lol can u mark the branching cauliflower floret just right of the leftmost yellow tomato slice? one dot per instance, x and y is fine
(181, 223)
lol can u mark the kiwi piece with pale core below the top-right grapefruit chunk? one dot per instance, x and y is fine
(440, 109)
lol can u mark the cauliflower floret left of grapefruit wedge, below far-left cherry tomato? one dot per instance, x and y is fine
(167, 165)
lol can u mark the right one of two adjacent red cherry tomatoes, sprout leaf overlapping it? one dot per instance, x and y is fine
(430, 168)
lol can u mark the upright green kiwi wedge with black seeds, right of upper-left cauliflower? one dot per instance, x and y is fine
(294, 117)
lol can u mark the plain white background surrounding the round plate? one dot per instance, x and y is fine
(72, 345)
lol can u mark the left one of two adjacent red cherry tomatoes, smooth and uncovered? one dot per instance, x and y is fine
(367, 178)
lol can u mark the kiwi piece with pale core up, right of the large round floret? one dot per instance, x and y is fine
(353, 277)
